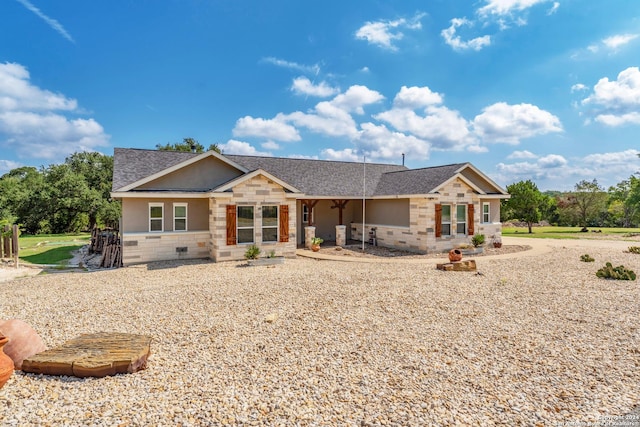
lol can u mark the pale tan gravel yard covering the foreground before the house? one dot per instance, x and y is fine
(533, 339)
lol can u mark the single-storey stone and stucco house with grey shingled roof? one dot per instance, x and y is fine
(179, 205)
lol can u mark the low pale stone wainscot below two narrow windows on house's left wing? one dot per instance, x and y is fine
(148, 247)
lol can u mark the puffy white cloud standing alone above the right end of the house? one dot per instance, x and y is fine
(502, 122)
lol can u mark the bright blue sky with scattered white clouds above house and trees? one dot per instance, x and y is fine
(523, 89)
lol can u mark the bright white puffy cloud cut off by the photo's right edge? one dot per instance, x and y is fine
(617, 102)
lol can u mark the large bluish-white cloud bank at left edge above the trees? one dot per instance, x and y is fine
(31, 122)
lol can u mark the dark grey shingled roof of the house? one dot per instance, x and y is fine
(314, 178)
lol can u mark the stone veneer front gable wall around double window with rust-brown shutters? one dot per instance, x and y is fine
(255, 192)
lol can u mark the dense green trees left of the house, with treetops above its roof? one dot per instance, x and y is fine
(70, 197)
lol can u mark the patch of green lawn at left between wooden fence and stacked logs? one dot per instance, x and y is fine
(51, 248)
